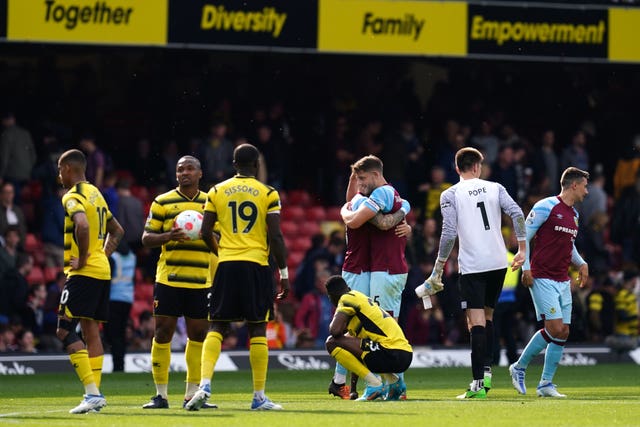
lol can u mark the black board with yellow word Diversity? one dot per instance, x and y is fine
(290, 23)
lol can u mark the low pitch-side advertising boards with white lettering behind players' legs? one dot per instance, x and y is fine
(21, 364)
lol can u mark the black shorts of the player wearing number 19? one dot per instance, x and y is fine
(242, 290)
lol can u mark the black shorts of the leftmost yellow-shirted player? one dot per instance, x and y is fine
(85, 297)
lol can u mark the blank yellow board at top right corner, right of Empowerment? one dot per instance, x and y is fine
(624, 34)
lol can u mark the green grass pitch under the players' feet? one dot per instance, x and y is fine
(603, 395)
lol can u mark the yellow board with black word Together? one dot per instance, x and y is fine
(88, 21)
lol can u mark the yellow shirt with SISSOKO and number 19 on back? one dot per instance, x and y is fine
(241, 204)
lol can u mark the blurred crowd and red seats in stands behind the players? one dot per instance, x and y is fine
(311, 177)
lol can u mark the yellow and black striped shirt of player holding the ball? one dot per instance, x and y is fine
(181, 264)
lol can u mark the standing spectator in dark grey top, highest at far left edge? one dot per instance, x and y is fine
(17, 154)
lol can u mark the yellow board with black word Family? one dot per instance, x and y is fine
(393, 27)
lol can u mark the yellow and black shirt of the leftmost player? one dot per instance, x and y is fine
(85, 197)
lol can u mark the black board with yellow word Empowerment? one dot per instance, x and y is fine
(535, 31)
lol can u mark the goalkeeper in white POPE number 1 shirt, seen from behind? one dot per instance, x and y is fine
(472, 211)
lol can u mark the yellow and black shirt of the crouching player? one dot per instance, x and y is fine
(368, 320)
